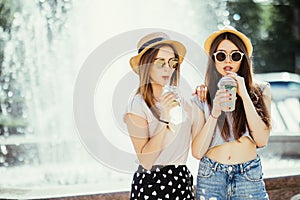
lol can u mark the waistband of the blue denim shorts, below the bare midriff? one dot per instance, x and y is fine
(216, 166)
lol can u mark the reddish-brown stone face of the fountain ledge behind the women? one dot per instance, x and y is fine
(278, 188)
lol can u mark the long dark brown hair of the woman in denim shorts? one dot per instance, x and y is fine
(211, 80)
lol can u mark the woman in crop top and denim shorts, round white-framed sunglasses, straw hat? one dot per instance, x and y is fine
(229, 166)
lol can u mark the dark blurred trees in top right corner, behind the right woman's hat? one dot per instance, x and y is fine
(274, 29)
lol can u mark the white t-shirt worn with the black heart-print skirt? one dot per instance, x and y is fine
(177, 140)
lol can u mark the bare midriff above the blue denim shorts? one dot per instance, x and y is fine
(235, 152)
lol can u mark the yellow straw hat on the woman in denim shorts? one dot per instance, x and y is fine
(228, 29)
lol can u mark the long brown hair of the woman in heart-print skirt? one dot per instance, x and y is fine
(145, 87)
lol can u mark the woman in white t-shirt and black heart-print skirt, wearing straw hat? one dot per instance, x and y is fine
(161, 145)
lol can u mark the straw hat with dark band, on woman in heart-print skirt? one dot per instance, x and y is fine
(152, 40)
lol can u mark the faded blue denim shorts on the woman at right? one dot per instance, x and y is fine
(216, 181)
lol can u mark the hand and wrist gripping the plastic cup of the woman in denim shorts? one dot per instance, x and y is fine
(221, 96)
